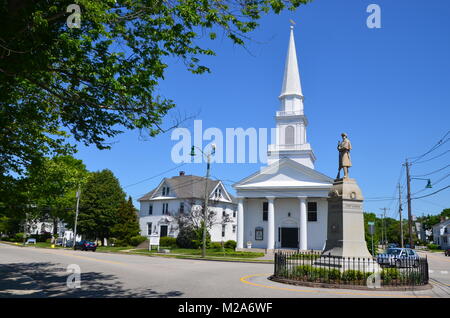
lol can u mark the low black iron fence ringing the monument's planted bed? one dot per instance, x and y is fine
(315, 267)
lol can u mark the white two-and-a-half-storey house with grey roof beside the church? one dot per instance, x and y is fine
(184, 194)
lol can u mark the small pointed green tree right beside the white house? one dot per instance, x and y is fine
(127, 225)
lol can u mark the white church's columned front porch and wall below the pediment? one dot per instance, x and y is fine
(271, 222)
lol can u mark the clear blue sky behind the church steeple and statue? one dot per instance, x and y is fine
(388, 88)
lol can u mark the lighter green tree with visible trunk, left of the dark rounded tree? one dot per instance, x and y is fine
(52, 187)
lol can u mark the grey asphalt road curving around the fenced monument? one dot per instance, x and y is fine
(36, 272)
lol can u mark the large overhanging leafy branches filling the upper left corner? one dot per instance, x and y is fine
(102, 76)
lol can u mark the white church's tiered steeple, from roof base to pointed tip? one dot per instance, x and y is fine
(290, 119)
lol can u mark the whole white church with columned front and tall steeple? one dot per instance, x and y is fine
(284, 205)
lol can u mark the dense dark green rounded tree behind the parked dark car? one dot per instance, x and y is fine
(101, 199)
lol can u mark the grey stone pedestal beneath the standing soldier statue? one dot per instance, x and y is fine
(345, 233)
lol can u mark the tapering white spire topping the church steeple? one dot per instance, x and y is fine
(291, 79)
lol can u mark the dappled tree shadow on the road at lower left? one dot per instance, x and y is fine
(50, 280)
